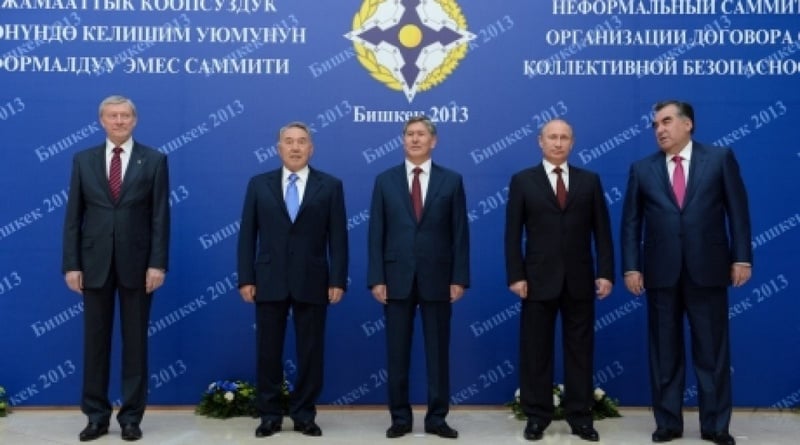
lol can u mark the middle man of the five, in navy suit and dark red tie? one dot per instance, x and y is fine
(418, 257)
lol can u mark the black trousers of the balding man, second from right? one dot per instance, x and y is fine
(537, 337)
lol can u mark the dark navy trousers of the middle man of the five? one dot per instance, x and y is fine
(436, 332)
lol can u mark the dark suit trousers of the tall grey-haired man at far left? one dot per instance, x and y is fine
(134, 310)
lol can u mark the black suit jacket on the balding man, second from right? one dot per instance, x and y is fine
(558, 244)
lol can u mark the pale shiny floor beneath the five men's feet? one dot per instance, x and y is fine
(367, 425)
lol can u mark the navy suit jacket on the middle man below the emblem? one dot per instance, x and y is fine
(435, 250)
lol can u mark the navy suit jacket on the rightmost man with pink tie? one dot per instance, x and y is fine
(711, 232)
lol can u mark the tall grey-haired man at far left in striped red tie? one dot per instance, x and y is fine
(116, 241)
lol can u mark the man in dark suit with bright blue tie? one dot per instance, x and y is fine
(292, 256)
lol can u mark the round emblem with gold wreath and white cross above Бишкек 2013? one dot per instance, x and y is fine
(410, 45)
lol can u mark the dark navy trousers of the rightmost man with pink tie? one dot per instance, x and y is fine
(707, 312)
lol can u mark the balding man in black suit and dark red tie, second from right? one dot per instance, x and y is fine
(560, 213)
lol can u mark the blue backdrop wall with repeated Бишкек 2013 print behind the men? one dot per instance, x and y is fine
(214, 80)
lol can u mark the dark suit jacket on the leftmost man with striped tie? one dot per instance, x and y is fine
(133, 233)
